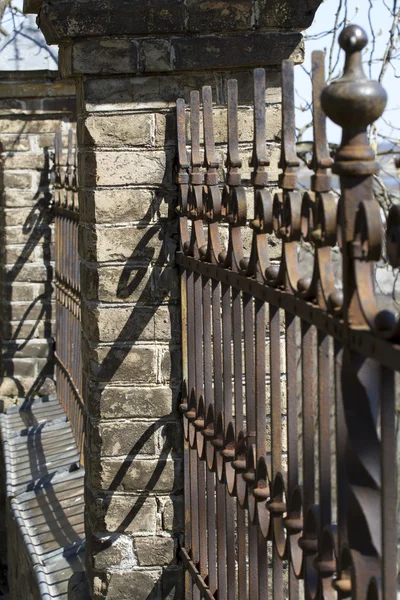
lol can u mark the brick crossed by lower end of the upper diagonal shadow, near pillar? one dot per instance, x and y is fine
(123, 364)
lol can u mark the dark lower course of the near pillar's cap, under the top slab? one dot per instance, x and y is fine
(150, 55)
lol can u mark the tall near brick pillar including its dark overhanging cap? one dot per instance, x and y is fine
(132, 60)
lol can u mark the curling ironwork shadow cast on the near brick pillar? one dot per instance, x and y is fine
(157, 286)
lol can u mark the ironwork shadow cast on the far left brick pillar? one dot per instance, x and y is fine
(32, 319)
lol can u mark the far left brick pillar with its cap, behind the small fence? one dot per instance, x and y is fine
(33, 106)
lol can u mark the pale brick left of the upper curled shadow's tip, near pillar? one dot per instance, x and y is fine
(128, 205)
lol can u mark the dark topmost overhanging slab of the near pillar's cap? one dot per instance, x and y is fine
(64, 19)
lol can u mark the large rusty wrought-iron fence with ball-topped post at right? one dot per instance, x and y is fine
(272, 500)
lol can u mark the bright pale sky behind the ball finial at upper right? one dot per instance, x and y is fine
(366, 13)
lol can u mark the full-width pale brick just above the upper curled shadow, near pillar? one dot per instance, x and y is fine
(151, 167)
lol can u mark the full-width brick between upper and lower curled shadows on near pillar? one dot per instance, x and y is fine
(127, 402)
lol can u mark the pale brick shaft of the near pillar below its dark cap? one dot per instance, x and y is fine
(131, 324)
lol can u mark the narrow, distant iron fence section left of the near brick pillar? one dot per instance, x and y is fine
(67, 286)
